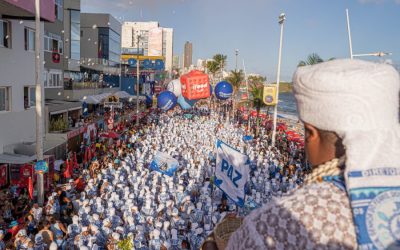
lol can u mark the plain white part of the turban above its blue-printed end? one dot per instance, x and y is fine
(359, 101)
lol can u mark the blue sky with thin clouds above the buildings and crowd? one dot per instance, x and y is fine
(221, 26)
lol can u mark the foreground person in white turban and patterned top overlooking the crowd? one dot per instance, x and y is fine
(350, 110)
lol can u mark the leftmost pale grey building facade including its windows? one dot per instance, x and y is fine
(17, 83)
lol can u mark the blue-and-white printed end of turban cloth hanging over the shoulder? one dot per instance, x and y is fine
(376, 209)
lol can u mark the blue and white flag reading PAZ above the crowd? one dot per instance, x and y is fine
(232, 172)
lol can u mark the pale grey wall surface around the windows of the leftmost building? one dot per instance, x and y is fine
(17, 70)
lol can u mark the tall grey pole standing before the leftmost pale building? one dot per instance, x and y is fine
(39, 104)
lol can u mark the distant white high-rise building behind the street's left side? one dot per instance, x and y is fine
(154, 40)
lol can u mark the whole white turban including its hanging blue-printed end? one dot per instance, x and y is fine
(359, 101)
